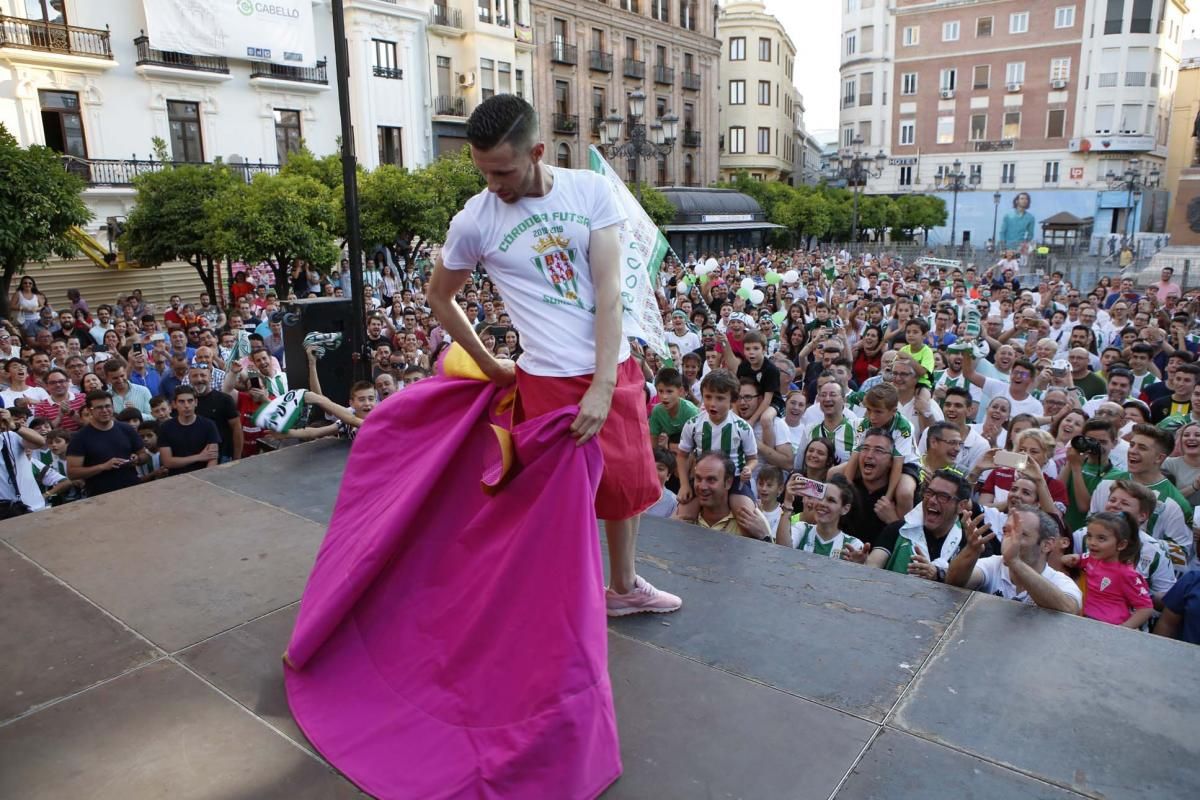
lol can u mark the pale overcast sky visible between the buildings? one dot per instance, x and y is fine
(815, 28)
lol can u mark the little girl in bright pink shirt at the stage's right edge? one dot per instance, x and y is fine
(1115, 593)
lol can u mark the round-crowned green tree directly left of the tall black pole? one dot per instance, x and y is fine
(281, 218)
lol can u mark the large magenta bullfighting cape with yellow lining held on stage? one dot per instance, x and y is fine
(452, 640)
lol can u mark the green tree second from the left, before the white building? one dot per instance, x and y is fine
(167, 222)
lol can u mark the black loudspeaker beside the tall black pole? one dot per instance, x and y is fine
(325, 316)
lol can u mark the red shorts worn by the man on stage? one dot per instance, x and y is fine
(631, 482)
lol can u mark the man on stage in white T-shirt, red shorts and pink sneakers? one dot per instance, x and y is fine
(550, 240)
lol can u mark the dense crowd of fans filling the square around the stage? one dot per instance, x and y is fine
(982, 428)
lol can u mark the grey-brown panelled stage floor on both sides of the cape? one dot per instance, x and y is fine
(141, 636)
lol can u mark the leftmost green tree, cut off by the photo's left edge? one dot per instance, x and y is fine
(40, 202)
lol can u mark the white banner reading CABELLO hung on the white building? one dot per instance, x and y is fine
(279, 32)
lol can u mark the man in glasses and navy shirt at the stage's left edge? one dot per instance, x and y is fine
(105, 454)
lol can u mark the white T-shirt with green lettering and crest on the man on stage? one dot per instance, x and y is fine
(537, 254)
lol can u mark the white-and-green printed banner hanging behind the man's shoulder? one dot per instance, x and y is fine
(644, 248)
